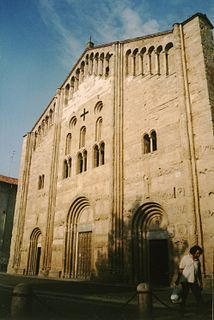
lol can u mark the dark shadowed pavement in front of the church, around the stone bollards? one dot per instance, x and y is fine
(74, 300)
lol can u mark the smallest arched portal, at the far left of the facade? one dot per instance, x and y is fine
(34, 254)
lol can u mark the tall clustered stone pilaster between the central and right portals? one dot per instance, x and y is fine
(117, 217)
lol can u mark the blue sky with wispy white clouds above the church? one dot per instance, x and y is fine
(40, 40)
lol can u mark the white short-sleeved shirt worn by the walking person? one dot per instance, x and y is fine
(190, 269)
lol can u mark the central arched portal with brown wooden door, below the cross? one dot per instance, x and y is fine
(78, 240)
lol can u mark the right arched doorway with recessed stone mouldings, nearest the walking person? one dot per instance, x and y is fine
(150, 245)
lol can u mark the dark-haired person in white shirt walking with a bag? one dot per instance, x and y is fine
(189, 276)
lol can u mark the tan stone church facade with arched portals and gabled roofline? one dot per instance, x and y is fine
(116, 176)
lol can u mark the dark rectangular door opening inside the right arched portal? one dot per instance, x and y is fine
(159, 262)
